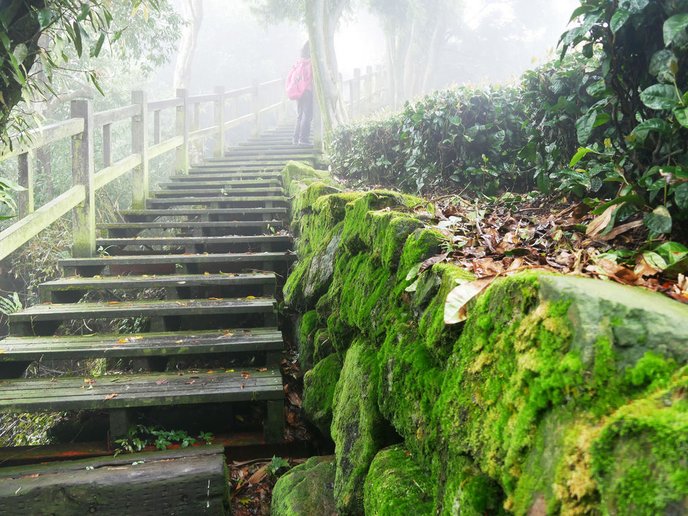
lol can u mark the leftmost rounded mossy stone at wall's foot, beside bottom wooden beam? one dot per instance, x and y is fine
(306, 489)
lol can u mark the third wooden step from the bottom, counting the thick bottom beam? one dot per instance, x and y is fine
(166, 344)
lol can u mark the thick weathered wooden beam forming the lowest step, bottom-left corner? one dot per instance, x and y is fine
(189, 481)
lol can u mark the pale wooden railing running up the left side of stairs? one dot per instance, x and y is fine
(249, 107)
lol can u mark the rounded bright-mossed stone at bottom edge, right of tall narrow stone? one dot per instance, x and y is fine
(396, 485)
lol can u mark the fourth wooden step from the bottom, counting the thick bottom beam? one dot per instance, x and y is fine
(188, 307)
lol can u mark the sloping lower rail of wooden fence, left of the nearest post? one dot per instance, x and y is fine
(21, 232)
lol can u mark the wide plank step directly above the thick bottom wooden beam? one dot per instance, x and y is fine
(141, 390)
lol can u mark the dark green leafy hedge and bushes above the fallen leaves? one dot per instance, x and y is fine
(606, 122)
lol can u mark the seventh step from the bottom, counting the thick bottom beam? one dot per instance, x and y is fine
(199, 244)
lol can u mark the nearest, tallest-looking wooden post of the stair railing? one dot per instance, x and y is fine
(83, 171)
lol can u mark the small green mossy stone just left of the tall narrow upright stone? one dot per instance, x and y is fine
(318, 392)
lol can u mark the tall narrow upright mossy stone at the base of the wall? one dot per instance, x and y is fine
(358, 429)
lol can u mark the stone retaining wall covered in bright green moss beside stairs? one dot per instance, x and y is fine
(558, 394)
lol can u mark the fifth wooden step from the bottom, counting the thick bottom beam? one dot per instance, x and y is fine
(262, 282)
